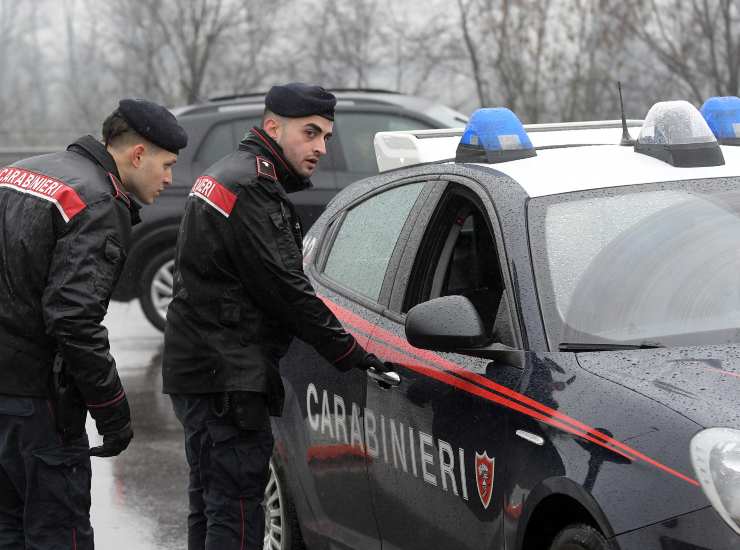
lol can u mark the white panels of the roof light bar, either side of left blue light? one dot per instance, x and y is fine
(400, 149)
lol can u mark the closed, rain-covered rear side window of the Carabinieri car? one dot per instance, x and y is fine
(364, 243)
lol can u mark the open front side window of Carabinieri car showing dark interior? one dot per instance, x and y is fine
(464, 262)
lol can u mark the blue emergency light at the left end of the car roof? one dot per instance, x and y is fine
(494, 135)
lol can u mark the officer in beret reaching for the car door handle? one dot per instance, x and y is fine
(240, 295)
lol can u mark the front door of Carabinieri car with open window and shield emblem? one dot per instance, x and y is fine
(436, 472)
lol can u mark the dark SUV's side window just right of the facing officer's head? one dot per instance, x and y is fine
(356, 132)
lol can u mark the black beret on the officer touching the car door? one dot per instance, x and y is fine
(296, 100)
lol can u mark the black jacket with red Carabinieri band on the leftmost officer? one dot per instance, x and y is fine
(65, 225)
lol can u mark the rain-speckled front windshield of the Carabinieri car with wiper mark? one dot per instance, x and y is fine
(651, 264)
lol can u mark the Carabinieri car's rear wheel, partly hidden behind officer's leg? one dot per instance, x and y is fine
(281, 523)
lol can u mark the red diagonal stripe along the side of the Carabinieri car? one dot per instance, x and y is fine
(513, 400)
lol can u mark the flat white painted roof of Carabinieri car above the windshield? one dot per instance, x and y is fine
(570, 169)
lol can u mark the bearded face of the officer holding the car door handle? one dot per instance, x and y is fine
(303, 141)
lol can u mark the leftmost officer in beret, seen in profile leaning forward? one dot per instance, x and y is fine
(65, 225)
